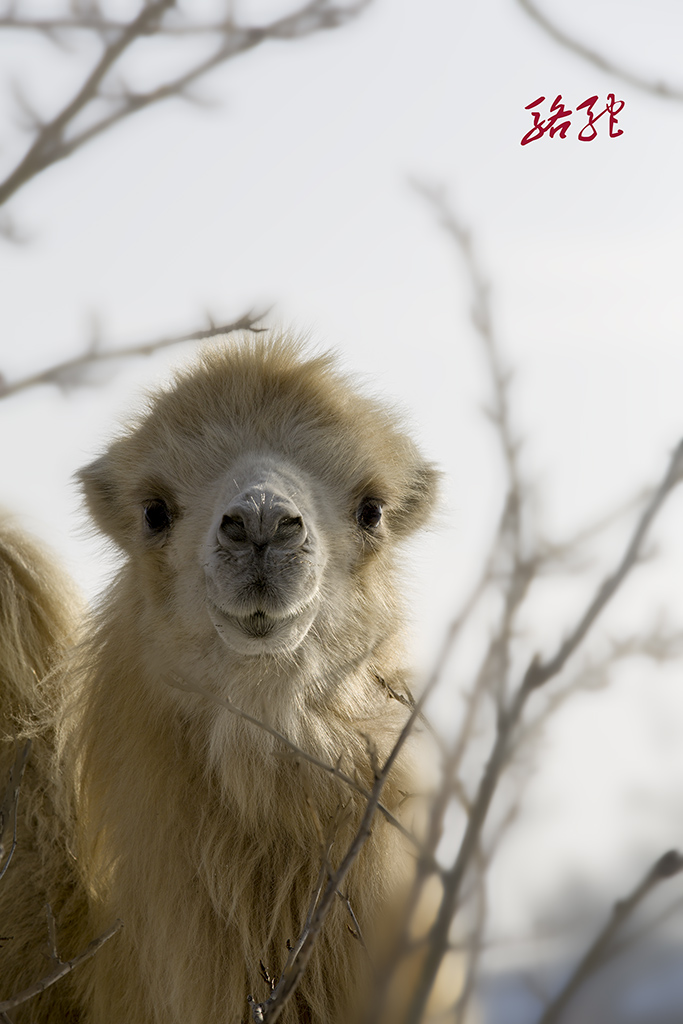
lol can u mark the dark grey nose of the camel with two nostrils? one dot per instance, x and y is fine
(260, 517)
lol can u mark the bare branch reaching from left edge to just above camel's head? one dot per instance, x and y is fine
(71, 372)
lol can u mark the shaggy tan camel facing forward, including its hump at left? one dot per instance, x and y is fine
(260, 503)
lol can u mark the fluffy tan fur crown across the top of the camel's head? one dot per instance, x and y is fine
(265, 395)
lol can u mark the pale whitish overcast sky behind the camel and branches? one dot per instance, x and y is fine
(293, 191)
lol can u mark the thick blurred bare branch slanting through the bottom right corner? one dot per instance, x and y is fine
(667, 867)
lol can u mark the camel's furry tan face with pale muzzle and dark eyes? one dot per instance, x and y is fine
(261, 502)
